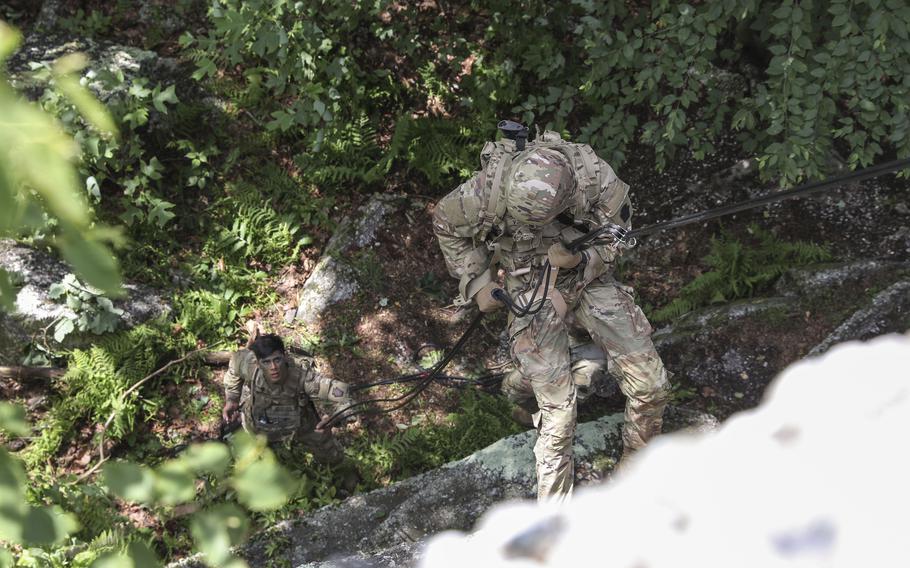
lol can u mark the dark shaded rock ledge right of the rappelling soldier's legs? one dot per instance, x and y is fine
(730, 353)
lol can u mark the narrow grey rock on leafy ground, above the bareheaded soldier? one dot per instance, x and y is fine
(333, 280)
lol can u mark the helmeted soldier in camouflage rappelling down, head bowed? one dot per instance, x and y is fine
(517, 213)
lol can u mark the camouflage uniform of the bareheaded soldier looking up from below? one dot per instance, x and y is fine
(285, 411)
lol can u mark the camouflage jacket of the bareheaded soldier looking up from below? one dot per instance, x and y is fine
(280, 409)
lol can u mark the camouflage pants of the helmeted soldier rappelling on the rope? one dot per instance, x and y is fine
(540, 349)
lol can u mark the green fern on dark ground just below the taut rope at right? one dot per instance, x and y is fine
(741, 270)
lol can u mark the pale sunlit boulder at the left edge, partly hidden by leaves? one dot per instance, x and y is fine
(35, 310)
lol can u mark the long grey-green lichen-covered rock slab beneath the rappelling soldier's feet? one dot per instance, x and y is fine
(385, 527)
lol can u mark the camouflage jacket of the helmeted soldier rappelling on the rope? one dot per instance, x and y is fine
(476, 234)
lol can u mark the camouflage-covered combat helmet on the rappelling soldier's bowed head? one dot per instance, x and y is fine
(540, 187)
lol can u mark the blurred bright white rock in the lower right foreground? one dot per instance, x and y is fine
(815, 477)
